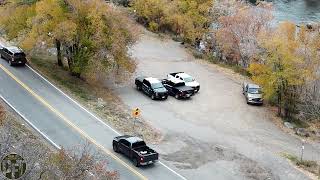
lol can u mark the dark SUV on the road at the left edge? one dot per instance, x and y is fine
(13, 55)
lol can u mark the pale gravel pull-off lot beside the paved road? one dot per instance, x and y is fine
(215, 134)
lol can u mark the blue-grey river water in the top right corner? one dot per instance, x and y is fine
(298, 11)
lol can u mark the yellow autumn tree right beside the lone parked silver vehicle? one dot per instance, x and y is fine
(281, 70)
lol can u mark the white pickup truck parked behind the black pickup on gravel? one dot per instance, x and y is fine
(186, 78)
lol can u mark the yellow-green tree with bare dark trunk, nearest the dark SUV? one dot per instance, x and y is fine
(52, 25)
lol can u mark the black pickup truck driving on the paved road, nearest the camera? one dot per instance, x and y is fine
(135, 149)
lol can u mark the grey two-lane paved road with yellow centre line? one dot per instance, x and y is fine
(64, 123)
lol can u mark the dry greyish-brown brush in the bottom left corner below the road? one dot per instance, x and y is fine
(45, 162)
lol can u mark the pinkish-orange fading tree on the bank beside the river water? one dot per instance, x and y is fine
(238, 31)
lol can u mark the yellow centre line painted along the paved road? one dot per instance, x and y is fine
(66, 120)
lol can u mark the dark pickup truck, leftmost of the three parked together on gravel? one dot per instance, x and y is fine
(152, 87)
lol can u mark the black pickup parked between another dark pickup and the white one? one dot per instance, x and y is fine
(178, 88)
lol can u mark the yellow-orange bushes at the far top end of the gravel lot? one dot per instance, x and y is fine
(186, 20)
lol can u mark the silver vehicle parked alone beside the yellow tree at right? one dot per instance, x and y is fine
(252, 93)
